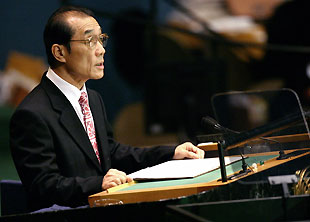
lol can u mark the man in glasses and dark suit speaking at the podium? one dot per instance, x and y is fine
(63, 148)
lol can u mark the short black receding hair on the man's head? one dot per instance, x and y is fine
(58, 31)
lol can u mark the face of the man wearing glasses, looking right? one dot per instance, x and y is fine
(84, 62)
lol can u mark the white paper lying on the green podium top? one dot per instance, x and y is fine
(176, 169)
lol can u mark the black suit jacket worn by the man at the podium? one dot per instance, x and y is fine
(53, 155)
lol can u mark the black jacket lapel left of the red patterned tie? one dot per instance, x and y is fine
(70, 120)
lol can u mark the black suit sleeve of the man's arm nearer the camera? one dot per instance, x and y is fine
(34, 156)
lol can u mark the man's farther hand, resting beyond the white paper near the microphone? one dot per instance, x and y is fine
(188, 150)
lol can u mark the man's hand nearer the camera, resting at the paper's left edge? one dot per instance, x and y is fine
(113, 178)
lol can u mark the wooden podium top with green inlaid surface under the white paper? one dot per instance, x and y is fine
(167, 189)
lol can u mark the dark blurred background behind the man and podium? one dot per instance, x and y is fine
(164, 61)
